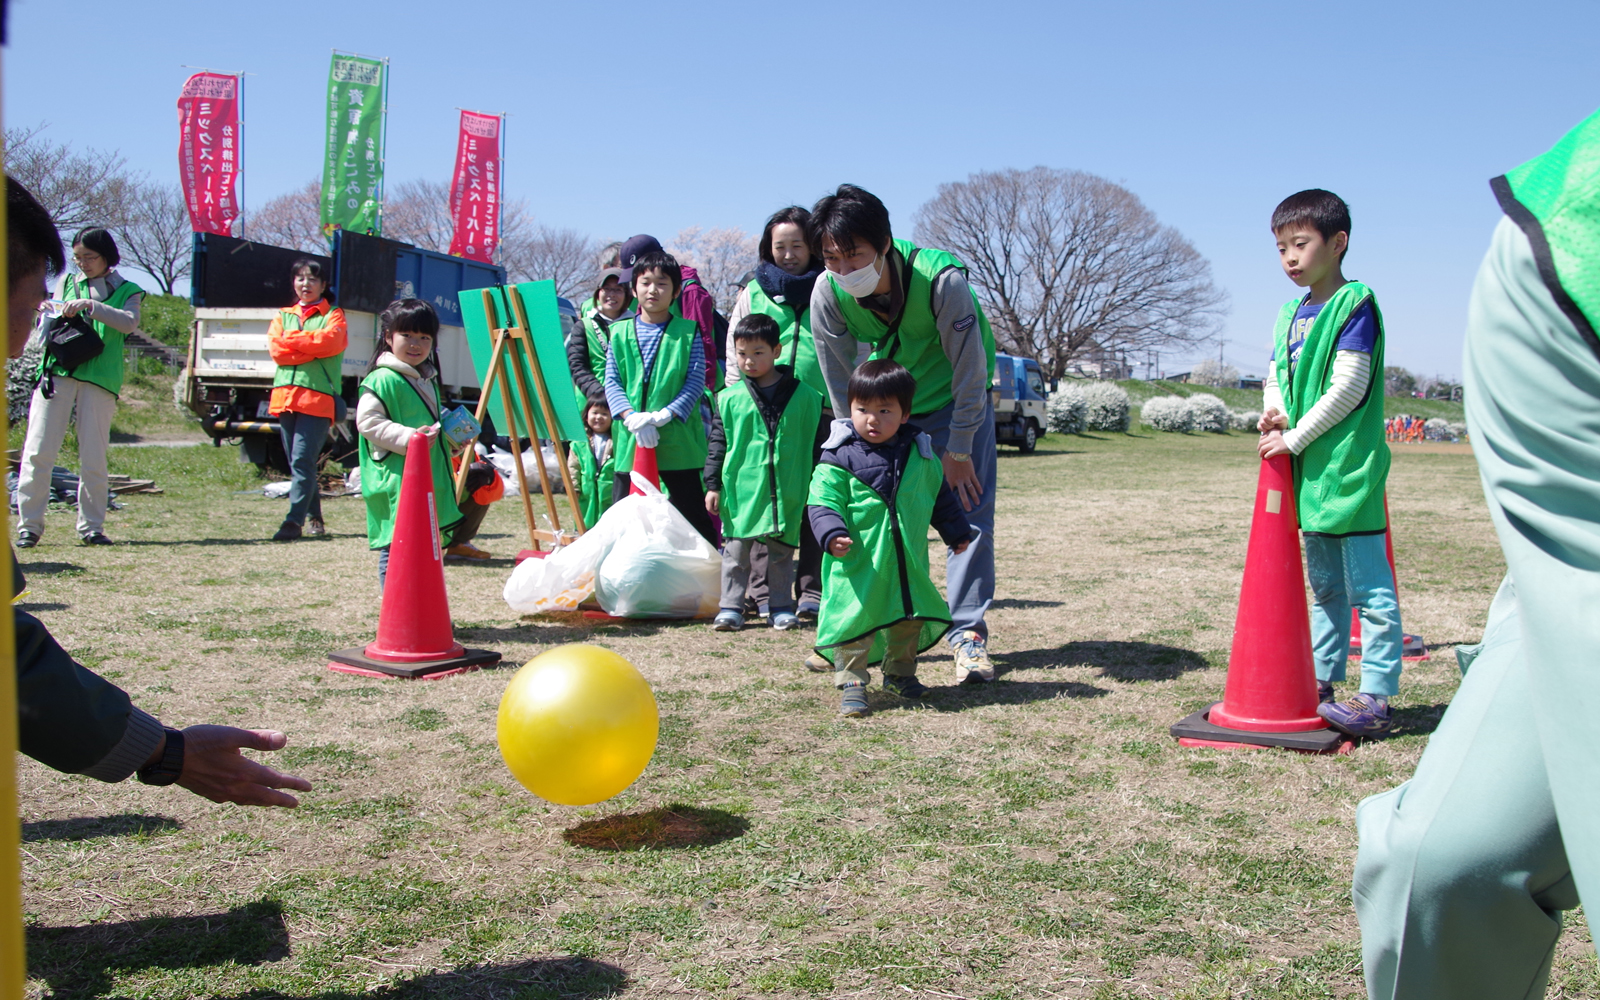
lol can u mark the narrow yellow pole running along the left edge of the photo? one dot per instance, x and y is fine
(14, 961)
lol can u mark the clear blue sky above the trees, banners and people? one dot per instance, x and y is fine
(655, 118)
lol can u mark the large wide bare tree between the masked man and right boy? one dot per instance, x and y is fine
(1068, 263)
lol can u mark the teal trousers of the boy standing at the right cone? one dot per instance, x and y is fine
(1354, 572)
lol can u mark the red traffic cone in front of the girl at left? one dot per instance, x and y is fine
(414, 628)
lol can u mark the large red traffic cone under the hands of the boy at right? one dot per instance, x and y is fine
(1271, 695)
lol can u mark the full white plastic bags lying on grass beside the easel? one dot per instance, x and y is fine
(641, 561)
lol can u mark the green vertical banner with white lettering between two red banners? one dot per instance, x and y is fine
(353, 174)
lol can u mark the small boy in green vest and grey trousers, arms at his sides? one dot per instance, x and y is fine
(759, 471)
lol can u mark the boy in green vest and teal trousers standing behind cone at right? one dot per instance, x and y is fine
(1326, 407)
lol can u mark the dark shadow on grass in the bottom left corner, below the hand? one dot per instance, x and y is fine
(82, 961)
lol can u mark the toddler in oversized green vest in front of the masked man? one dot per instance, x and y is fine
(874, 494)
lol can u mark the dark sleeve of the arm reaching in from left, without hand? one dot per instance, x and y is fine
(73, 719)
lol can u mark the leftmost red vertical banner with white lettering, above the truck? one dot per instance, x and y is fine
(209, 146)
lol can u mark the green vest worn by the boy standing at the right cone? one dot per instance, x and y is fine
(1340, 478)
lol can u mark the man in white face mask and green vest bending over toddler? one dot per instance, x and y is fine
(914, 306)
